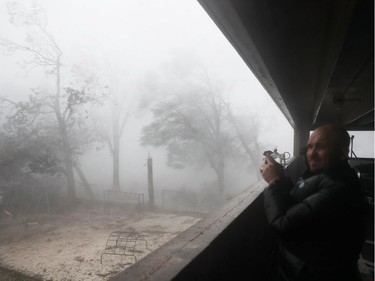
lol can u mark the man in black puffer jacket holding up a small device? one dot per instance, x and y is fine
(320, 219)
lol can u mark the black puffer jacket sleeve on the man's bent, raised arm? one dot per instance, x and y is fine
(286, 216)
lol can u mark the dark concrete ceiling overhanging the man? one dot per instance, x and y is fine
(315, 58)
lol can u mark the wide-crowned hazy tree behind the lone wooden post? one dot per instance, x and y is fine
(194, 130)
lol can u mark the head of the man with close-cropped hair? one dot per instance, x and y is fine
(326, 146)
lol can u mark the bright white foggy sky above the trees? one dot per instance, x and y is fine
(137, 36)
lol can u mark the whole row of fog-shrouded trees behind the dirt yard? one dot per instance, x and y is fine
(183, 111)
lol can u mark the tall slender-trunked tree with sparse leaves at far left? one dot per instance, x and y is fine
(43, 51)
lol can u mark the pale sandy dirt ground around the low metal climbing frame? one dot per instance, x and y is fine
(68, 246)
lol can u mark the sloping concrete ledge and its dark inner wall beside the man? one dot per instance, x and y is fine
(201, 252)
